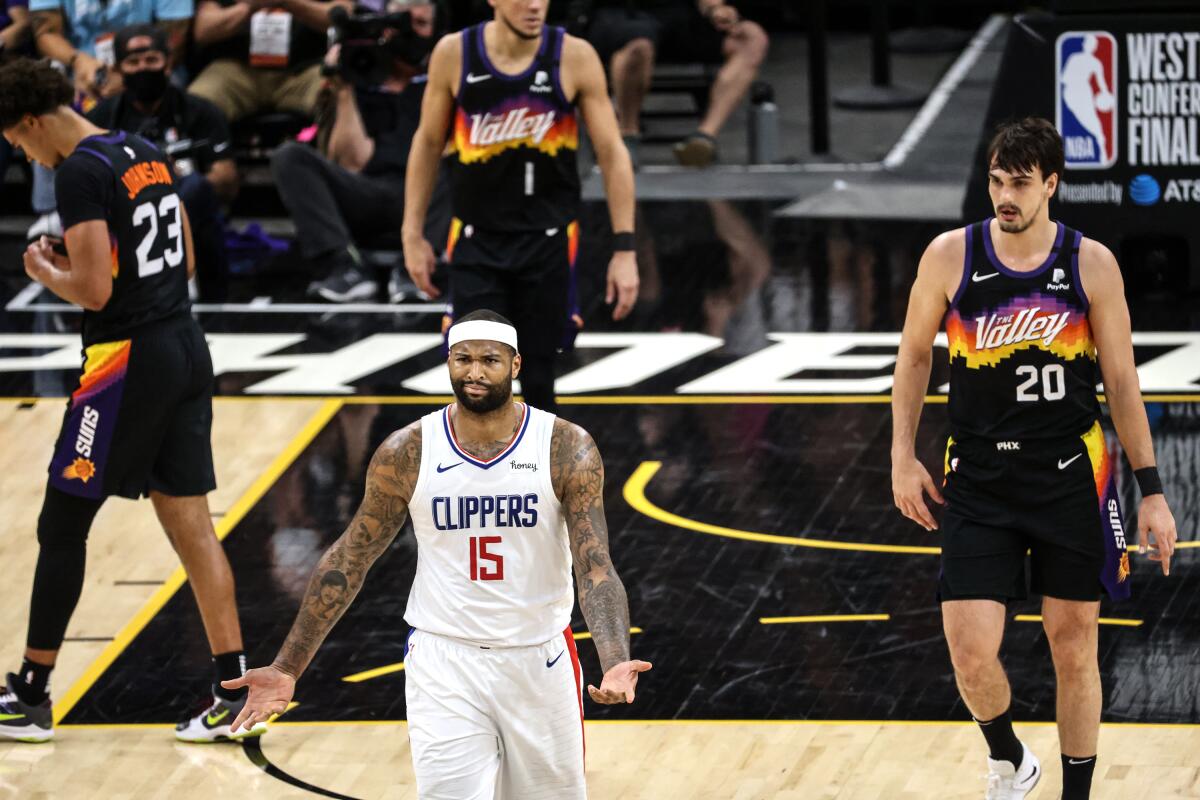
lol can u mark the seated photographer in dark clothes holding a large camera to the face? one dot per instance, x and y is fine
(353, 189)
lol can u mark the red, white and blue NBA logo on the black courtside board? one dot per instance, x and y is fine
(1085, 98)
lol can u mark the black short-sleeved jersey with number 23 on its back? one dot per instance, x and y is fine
(134, 190)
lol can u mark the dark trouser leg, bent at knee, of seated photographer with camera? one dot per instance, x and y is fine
(322, 199)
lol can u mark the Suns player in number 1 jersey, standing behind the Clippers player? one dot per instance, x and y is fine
(509, 95)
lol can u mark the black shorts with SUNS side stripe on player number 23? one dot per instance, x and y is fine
(141, 419)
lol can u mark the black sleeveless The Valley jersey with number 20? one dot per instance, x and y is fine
(1023, 362)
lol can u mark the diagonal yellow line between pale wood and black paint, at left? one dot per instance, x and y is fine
(172, 585)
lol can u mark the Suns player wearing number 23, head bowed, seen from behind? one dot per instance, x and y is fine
(140, 423)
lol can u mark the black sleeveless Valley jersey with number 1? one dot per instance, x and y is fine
(515, 139)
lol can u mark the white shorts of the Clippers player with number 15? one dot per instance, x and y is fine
(500, 723)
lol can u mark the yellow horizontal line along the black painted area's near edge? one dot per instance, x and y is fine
(886, 724)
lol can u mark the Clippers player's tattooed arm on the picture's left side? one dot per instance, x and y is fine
(341, 572)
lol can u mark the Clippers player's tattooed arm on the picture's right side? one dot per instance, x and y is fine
(578, 474)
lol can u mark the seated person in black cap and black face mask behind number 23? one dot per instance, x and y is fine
(190, 131)
